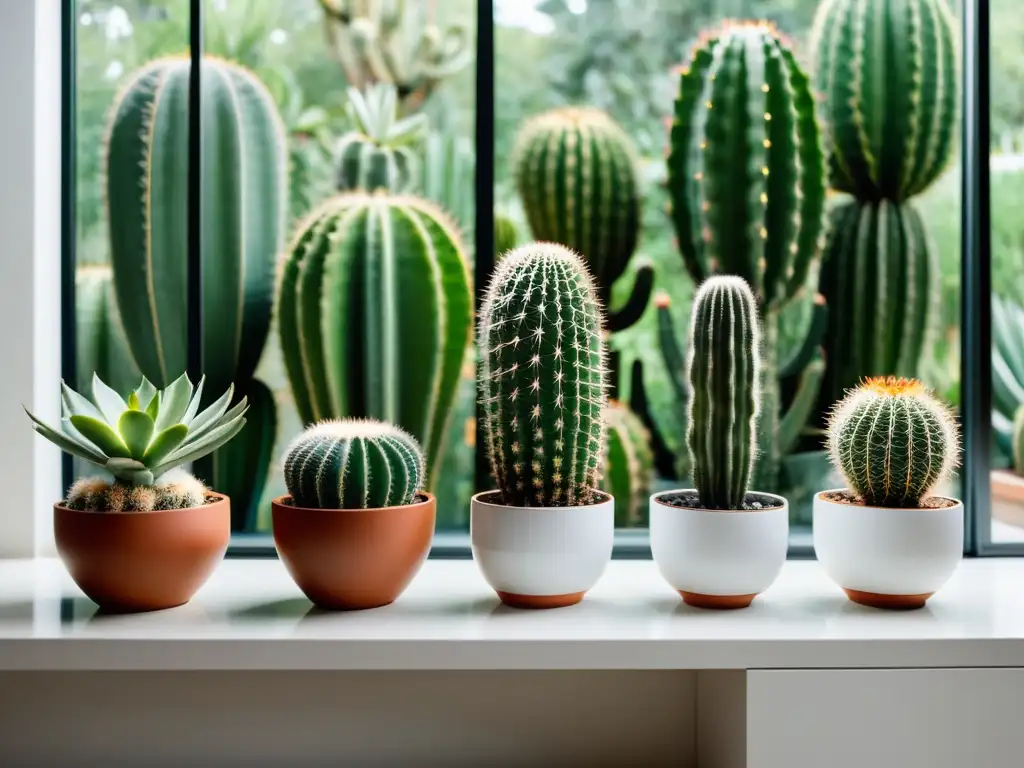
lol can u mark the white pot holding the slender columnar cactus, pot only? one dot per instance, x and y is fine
(719, 559)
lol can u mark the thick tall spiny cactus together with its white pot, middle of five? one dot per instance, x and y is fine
(545, 536)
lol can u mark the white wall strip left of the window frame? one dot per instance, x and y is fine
(30, 270)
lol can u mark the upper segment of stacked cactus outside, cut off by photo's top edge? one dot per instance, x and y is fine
(888, 73)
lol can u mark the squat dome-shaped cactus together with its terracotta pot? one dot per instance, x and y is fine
(356, 526)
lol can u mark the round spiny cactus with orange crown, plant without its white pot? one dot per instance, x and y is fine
(893, 442)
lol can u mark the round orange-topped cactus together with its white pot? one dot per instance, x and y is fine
(885, 539)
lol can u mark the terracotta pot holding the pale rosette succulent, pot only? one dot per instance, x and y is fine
(136, 562)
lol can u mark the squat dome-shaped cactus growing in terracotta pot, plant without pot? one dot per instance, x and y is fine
(354, 464)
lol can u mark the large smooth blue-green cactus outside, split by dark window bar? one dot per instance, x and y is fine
(245, 208)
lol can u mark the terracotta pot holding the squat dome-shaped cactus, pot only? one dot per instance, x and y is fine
(349, 560)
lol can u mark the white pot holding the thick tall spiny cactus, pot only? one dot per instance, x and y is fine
(541, 558)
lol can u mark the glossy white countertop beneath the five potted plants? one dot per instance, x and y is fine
(252, 617)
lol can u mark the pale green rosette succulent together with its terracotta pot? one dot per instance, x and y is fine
(151, 537)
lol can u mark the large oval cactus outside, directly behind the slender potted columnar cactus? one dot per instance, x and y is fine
(747, 176)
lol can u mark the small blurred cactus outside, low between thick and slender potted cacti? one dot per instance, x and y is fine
(629, 465)
